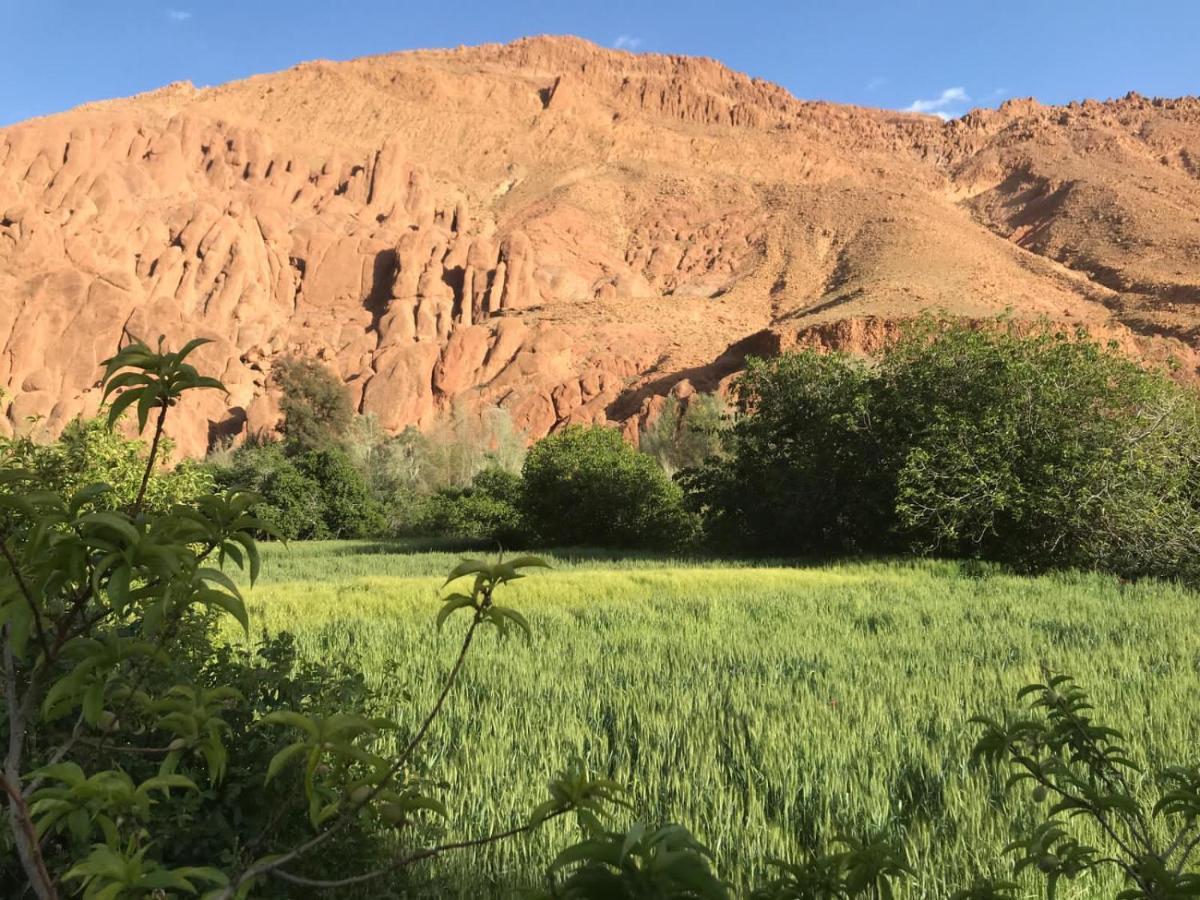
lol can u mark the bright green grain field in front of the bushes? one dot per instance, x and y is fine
(764, 706)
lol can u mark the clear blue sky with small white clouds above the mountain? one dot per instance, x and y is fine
(933, 56)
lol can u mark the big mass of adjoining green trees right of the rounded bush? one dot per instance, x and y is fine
(1035, 449)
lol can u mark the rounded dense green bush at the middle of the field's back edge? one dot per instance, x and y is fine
(587, 487)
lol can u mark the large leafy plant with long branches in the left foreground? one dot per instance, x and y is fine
(97, 598)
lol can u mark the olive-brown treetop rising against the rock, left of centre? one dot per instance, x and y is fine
(317, 412)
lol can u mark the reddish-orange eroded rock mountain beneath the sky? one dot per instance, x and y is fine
(563, 231)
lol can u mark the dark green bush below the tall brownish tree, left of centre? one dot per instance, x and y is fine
(310, 496)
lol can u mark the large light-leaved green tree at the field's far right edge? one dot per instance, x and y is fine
(1040, 451)
